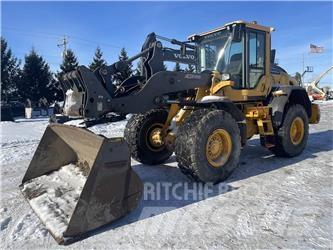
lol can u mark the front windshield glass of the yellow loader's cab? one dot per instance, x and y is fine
(218, 52)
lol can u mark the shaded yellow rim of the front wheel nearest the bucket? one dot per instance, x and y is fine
(154, 137)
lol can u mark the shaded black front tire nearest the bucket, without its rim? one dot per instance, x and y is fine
(136, 133)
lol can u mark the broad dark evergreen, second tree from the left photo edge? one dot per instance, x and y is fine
(36, 78)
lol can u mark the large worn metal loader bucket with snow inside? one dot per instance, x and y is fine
(78, 181)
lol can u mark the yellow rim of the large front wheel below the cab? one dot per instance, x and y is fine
(218, 148)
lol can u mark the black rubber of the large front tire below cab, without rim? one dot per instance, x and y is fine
(191, 145)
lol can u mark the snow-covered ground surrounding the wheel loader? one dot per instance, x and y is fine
(268, 202)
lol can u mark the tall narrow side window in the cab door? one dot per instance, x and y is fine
(256, 45)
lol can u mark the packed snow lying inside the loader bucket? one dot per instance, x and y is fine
(54, 196)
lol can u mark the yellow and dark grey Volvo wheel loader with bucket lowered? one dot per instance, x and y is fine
(203, 117)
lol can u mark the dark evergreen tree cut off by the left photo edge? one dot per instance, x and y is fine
(10, 72)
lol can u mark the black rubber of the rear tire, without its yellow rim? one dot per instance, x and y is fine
(283, 144)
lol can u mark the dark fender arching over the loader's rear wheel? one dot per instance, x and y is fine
(284, 96)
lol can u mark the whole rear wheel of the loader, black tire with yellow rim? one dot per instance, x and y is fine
(287, 143)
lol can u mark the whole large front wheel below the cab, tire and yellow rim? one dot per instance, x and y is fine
(209, 149)
